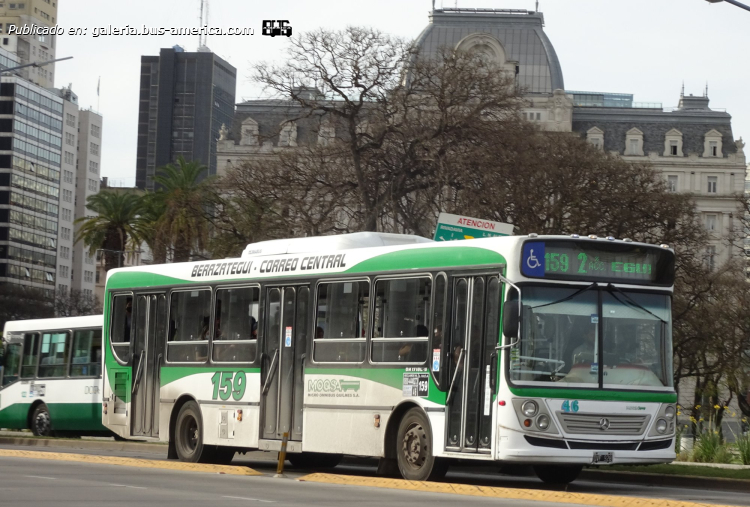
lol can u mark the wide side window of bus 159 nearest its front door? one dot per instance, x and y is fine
(401, 317)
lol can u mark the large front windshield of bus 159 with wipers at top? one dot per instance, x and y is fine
(561, 344)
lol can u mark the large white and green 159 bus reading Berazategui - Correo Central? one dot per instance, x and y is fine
(552, 351)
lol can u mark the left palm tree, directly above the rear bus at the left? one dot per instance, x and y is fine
(116, 226)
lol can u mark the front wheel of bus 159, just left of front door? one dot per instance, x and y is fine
(416, 461)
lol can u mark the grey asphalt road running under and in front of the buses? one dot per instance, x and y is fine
(27, 481)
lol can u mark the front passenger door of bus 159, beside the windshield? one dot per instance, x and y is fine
(473, 361)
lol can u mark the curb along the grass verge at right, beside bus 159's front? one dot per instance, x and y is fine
(680, 481)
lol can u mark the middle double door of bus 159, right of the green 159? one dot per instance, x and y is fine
(284, 347)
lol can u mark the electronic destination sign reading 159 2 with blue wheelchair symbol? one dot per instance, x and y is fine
(598, 261)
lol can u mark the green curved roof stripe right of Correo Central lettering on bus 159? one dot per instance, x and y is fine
(426, 258)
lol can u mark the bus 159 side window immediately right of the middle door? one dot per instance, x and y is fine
(342, 316)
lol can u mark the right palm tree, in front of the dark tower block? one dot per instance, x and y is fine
(181, 201)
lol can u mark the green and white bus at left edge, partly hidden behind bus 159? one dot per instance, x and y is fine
(51, 376)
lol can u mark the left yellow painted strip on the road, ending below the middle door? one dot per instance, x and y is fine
(130, 462)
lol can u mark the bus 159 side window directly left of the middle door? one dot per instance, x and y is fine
(236, 325)
